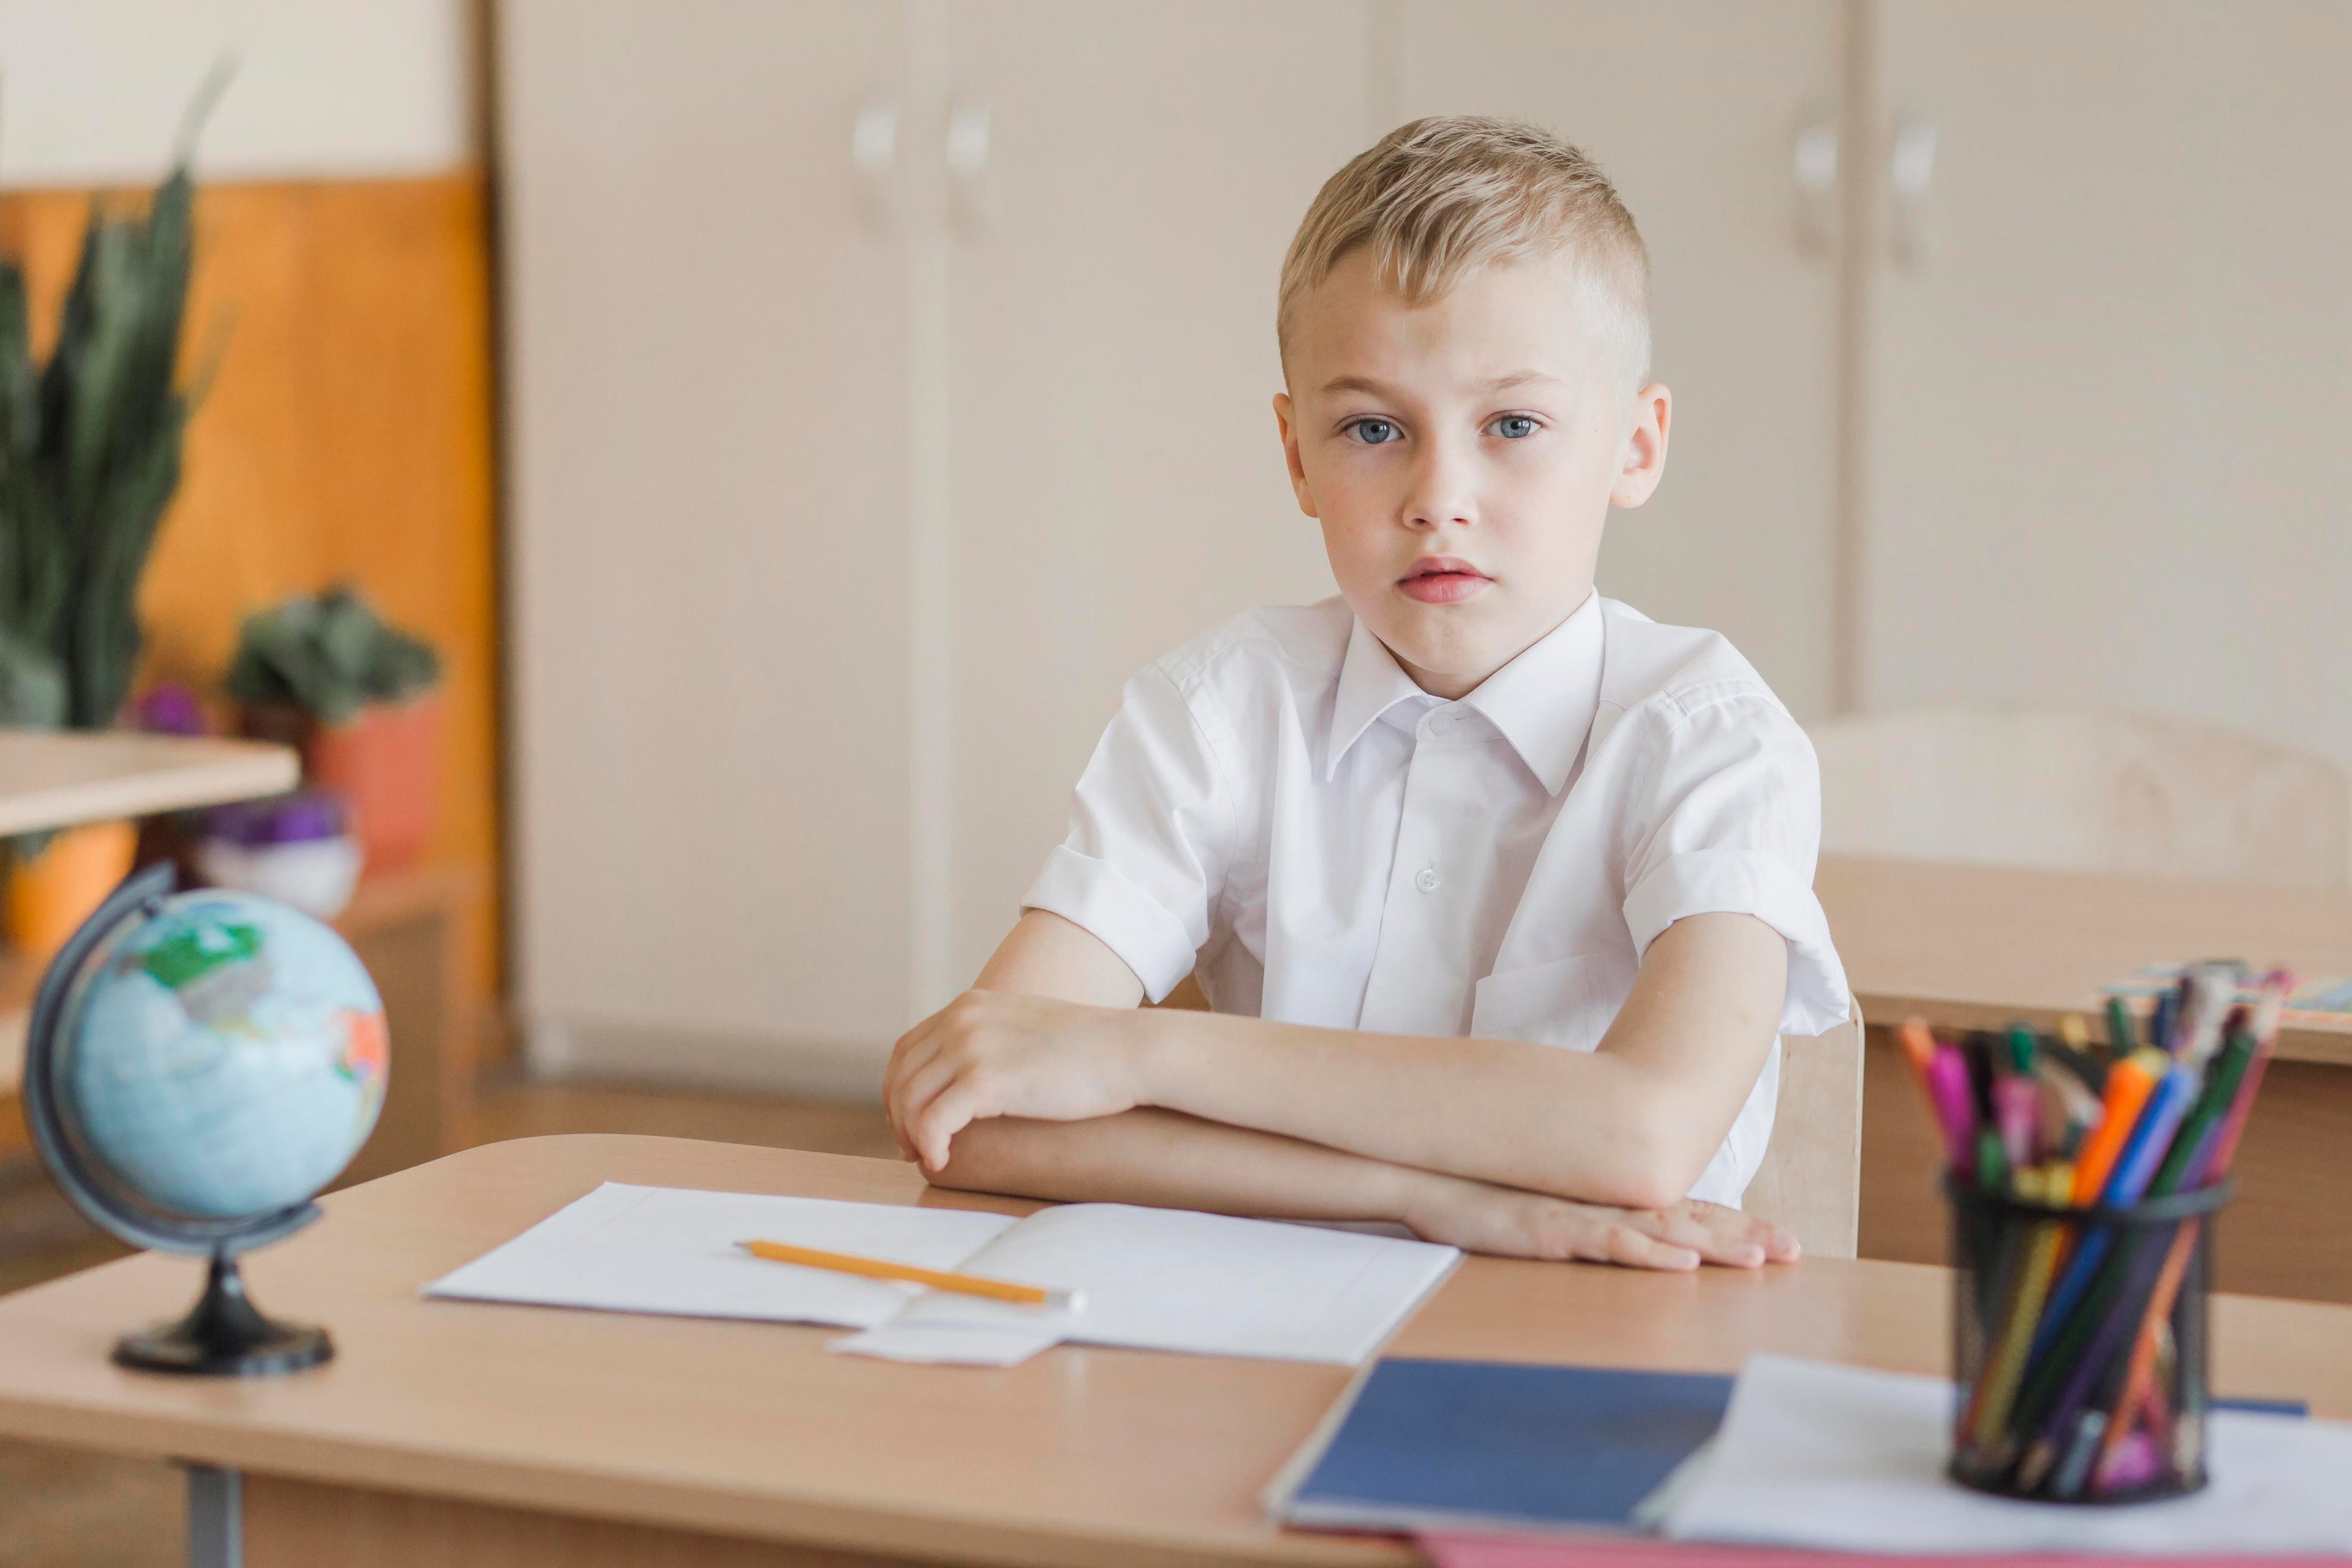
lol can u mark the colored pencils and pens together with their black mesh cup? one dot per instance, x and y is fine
(2073, 1367)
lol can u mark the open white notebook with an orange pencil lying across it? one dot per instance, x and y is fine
(1151, 1278)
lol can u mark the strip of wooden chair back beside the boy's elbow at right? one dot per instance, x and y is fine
(1812, 1174)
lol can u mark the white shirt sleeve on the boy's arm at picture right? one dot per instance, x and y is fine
(1732, 824)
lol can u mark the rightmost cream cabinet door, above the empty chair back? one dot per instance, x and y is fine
(2111, 394)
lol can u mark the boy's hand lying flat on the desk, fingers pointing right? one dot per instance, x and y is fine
(1514, 1224)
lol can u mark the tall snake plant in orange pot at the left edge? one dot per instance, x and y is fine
(91, 448)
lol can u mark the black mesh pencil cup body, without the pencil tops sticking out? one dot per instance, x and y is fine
(2080, 1346)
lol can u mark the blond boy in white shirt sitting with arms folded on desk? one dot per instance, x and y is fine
(1502, 892)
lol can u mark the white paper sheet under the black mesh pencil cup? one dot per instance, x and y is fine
(1852, 1461)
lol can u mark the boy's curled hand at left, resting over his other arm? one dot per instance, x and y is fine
(1001, 1054)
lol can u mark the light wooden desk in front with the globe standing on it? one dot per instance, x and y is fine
(469, 1435)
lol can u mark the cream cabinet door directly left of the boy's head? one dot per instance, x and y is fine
(1116, 474)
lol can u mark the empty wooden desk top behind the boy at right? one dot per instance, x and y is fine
(1977, 946)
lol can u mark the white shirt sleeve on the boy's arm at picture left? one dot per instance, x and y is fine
(1149, 838)
